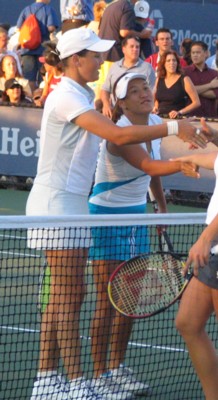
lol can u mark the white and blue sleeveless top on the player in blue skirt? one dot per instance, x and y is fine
(118, 183)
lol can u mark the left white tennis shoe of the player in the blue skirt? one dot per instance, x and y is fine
(109, 389)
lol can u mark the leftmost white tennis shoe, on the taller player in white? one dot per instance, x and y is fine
(50, 388)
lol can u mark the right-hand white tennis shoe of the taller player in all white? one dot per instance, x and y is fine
(81, 389)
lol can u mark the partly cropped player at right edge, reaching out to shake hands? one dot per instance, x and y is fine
(200, 299)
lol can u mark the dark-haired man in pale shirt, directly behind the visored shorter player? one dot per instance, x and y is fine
(131, 62)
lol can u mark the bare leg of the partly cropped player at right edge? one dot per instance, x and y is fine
(196, 306)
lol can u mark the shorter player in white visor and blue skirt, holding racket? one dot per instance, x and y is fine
(123, 176)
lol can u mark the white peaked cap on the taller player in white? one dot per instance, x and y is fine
(76, 40)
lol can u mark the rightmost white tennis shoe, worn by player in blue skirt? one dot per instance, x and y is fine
(126, 378)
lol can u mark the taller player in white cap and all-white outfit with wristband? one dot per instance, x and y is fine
(68, 153)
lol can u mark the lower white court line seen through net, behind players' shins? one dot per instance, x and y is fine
(133, 344)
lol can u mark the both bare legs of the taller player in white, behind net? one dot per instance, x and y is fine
(60, 324)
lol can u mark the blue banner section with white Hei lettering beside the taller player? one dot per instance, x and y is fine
(19, 140)
